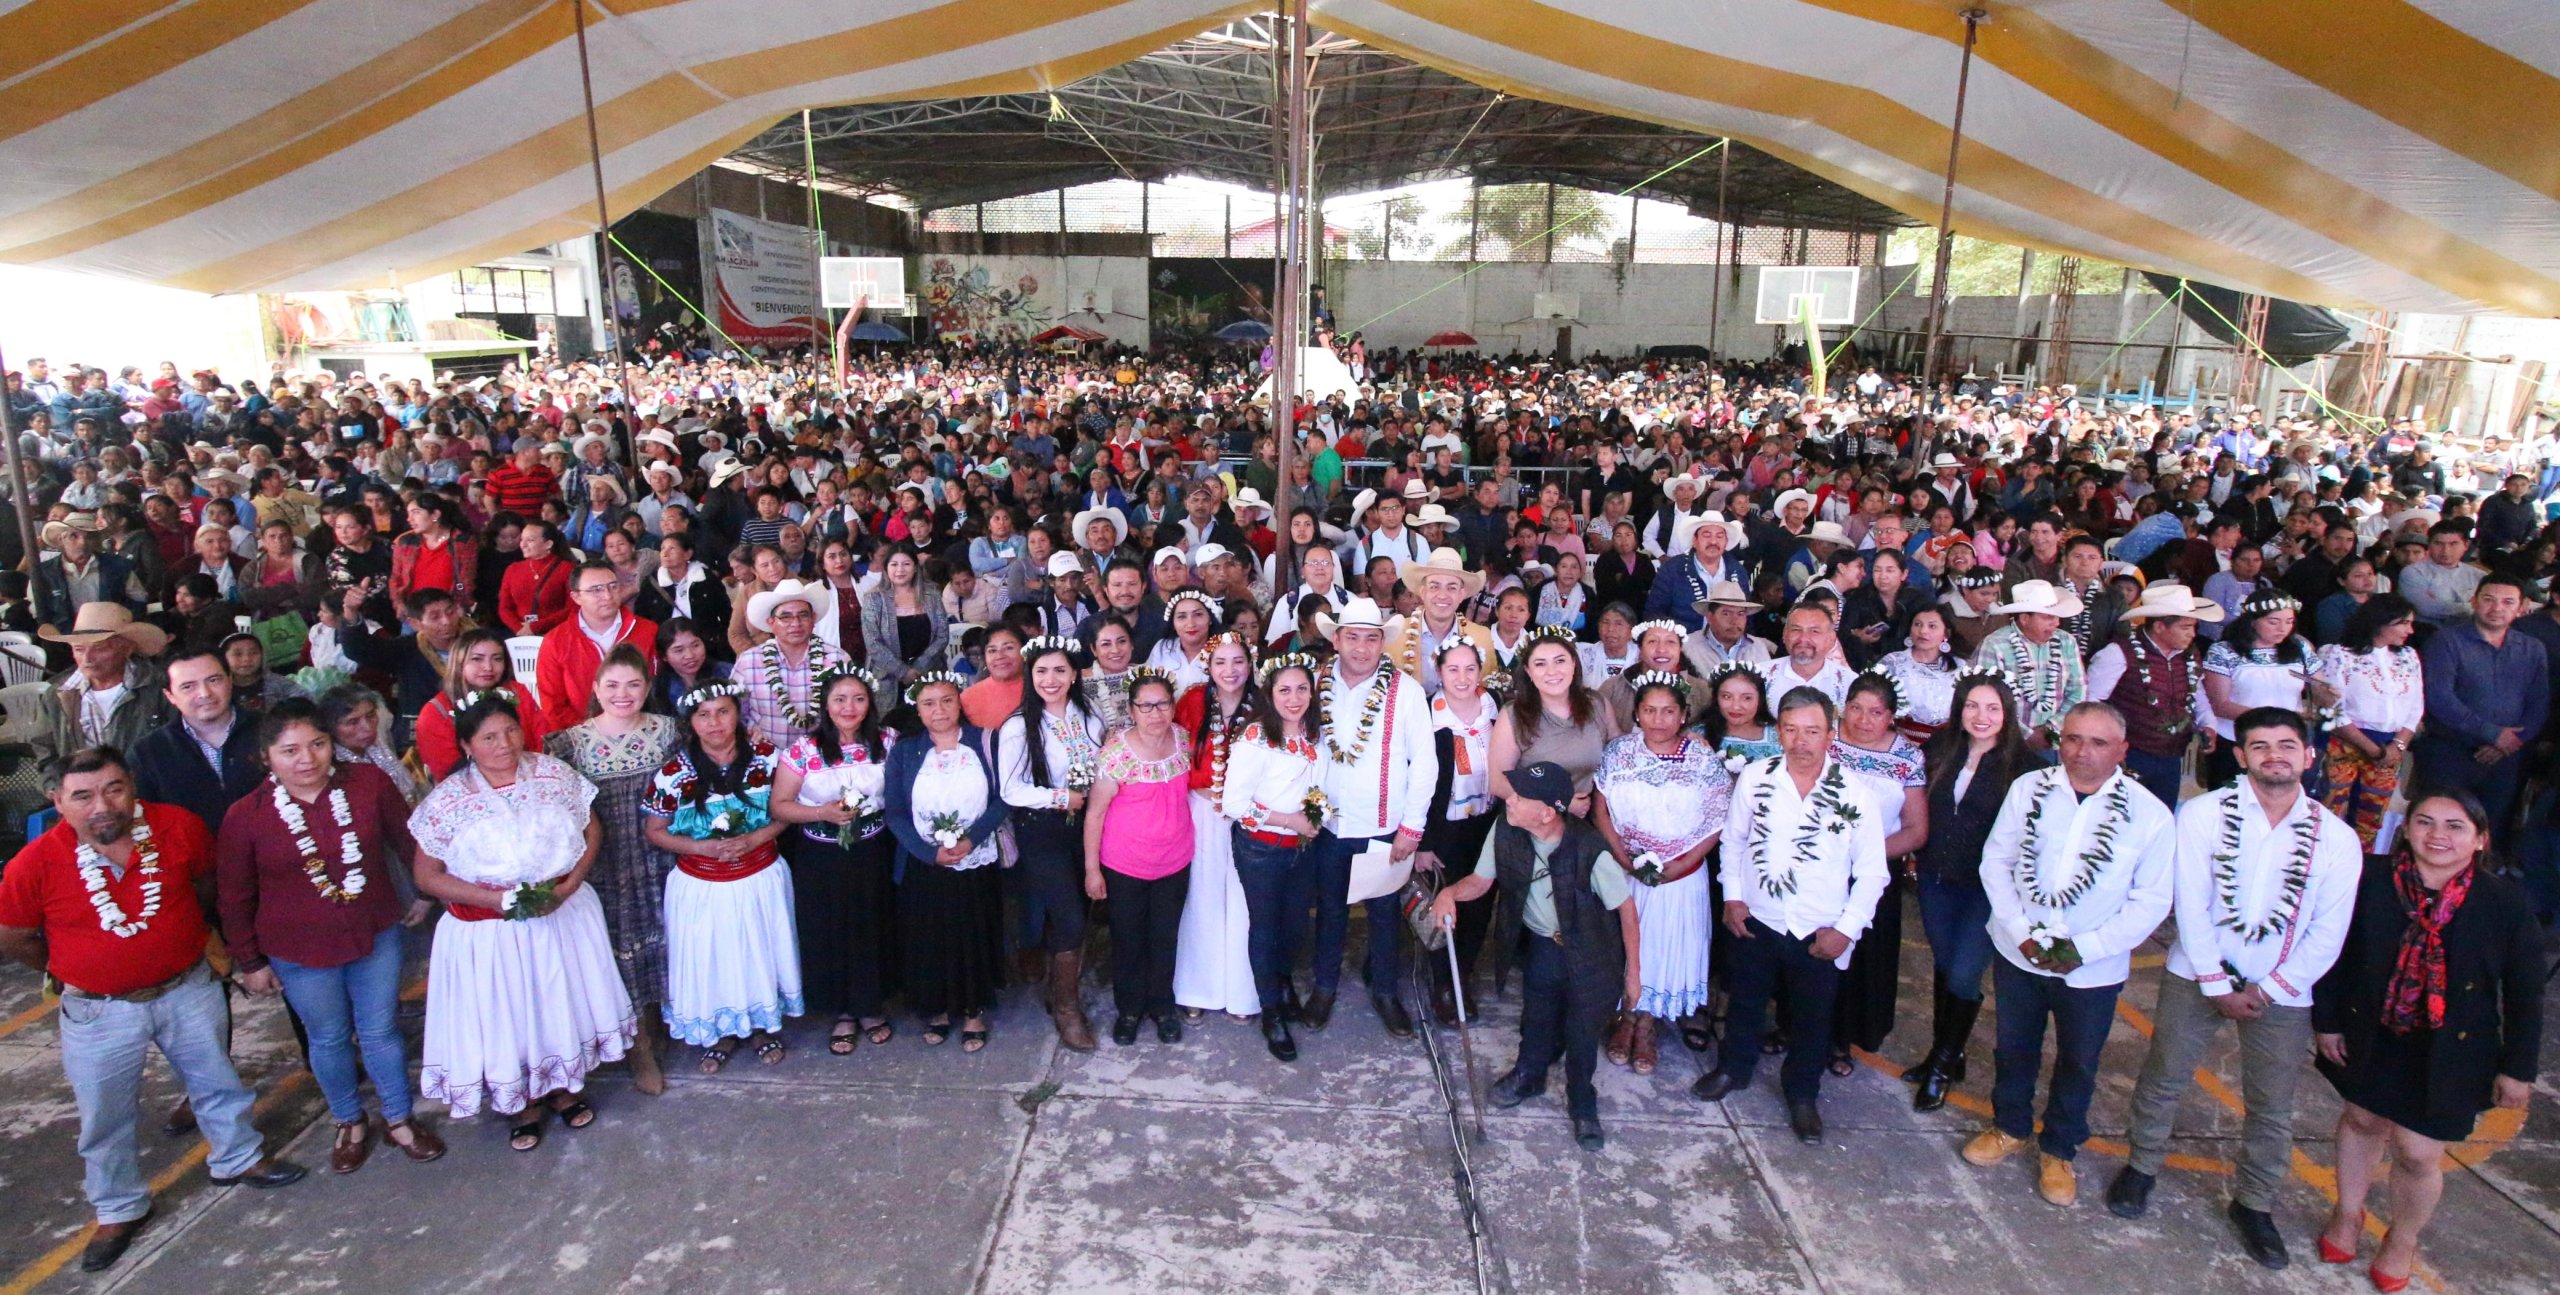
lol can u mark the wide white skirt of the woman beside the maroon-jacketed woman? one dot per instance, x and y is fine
(518, 1010)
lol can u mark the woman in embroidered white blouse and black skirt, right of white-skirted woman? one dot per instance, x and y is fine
(828, 784)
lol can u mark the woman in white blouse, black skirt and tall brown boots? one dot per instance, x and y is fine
(1046, 792)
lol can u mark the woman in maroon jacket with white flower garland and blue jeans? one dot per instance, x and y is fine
(314, 879)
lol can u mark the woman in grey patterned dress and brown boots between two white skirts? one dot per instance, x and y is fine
(621, 751)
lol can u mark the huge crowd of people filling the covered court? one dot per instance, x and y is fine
(700, 695)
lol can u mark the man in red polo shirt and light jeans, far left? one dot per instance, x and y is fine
(111, 902)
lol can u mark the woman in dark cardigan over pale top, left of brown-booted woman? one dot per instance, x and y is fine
(951, 900)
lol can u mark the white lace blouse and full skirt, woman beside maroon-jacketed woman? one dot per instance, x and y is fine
(518, 1010)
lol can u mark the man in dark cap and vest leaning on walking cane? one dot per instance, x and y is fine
(1578, 958)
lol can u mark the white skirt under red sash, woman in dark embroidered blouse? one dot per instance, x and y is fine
(731, 956)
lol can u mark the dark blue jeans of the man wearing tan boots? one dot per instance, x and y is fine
(2083, 1020)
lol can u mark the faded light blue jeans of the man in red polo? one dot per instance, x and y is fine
(104, 1053)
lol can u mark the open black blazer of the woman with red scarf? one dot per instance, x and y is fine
(2492, 989)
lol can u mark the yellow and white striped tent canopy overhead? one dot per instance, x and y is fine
(2349, 152)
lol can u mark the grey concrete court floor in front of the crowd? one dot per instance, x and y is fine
(1215, 1168)
